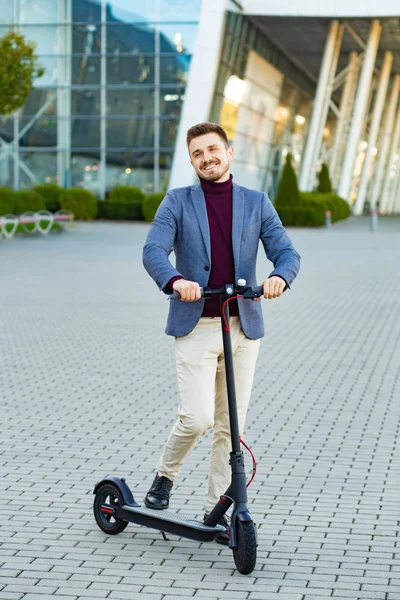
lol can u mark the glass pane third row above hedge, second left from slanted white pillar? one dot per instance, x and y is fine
(130, 102)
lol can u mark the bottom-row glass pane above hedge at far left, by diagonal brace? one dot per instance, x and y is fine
(37, 167)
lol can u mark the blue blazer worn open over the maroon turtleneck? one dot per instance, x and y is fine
(181, 224)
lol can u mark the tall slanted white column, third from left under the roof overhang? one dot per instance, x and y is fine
(359, 110)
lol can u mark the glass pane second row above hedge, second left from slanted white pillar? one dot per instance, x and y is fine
(135, 132)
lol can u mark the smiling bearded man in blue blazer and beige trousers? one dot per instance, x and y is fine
(214, 228)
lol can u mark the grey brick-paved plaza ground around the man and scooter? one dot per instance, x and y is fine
(88, 388)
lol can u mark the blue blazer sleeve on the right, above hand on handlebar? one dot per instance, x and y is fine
(277, 244)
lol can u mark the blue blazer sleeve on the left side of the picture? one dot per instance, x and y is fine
(160, 243)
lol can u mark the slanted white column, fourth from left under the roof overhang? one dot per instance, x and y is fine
(374, 130)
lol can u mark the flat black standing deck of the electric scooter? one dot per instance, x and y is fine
(169, 522)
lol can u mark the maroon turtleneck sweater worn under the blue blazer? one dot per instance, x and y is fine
(219, 210)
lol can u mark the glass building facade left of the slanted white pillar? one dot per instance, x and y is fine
(107, 109)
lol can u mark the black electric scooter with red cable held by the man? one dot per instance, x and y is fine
(114, 505)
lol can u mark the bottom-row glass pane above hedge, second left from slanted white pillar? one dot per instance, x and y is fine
(130, 168)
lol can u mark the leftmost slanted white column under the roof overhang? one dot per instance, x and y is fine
(307, 165)
